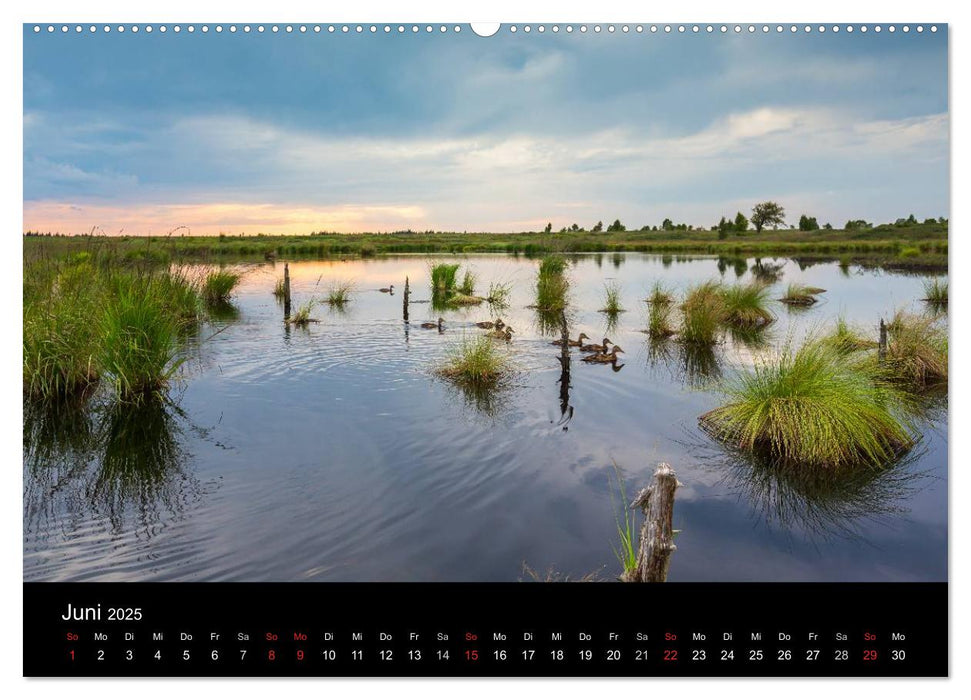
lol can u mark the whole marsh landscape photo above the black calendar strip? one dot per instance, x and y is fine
(523, 303)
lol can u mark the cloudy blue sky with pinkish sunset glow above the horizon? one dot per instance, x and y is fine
(292, 133)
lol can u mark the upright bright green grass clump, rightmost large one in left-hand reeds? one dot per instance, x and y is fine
(139, 344)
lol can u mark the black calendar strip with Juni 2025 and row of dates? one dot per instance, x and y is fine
(569, 629)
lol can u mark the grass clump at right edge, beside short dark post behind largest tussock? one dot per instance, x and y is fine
(917, 351)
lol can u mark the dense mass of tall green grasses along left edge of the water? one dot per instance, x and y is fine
(86, 322)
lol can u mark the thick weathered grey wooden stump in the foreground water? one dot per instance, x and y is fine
(657, 535)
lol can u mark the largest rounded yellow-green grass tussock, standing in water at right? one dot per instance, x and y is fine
(809, 408)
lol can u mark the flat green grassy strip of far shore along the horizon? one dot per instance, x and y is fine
(919, 246)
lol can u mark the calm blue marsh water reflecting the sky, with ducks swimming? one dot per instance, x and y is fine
(333, 453)
